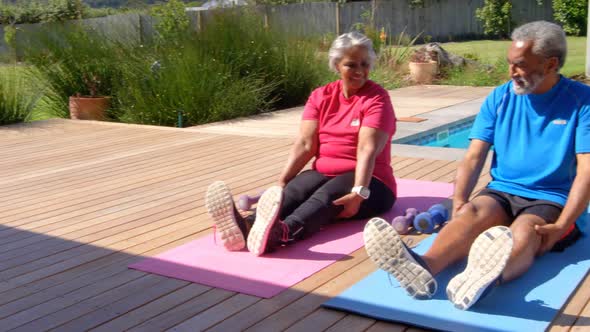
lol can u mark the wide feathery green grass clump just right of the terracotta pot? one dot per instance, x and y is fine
(186, 80)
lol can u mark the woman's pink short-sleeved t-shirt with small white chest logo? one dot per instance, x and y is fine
(339, 121)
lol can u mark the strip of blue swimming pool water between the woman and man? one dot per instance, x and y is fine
(450, 136)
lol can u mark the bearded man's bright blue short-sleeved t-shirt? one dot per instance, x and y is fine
(536, 138)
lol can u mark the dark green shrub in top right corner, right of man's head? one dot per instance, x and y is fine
(572, 14)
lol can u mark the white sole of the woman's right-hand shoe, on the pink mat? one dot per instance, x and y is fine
(267, 212)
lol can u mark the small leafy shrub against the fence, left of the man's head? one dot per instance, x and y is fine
(496, 16)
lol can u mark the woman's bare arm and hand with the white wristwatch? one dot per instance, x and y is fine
(371, 142)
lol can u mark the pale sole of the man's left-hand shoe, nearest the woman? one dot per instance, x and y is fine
(386, 249)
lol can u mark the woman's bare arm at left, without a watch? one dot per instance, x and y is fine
(304, 148)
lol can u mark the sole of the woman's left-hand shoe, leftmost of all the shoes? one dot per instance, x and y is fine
(220, 205)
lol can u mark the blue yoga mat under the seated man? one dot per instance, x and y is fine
(529, 303)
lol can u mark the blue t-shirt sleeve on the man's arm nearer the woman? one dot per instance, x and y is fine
(485, 121)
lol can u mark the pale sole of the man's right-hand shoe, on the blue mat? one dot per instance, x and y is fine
(487, 259)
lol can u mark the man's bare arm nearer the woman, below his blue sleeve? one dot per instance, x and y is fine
(468, 172)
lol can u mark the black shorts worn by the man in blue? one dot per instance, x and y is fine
(516, 205)
